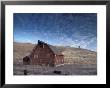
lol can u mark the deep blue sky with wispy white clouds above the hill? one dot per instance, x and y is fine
(64, 29)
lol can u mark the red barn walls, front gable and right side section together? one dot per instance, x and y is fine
(43, 55)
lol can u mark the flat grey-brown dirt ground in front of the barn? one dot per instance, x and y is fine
(68, 69)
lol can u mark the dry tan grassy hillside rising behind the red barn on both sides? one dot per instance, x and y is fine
(71, 55)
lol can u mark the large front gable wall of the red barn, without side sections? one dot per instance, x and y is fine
(42, 55)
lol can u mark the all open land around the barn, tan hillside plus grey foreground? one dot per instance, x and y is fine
(77, 61)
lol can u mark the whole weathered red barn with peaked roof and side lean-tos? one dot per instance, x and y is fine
(44, 54)
